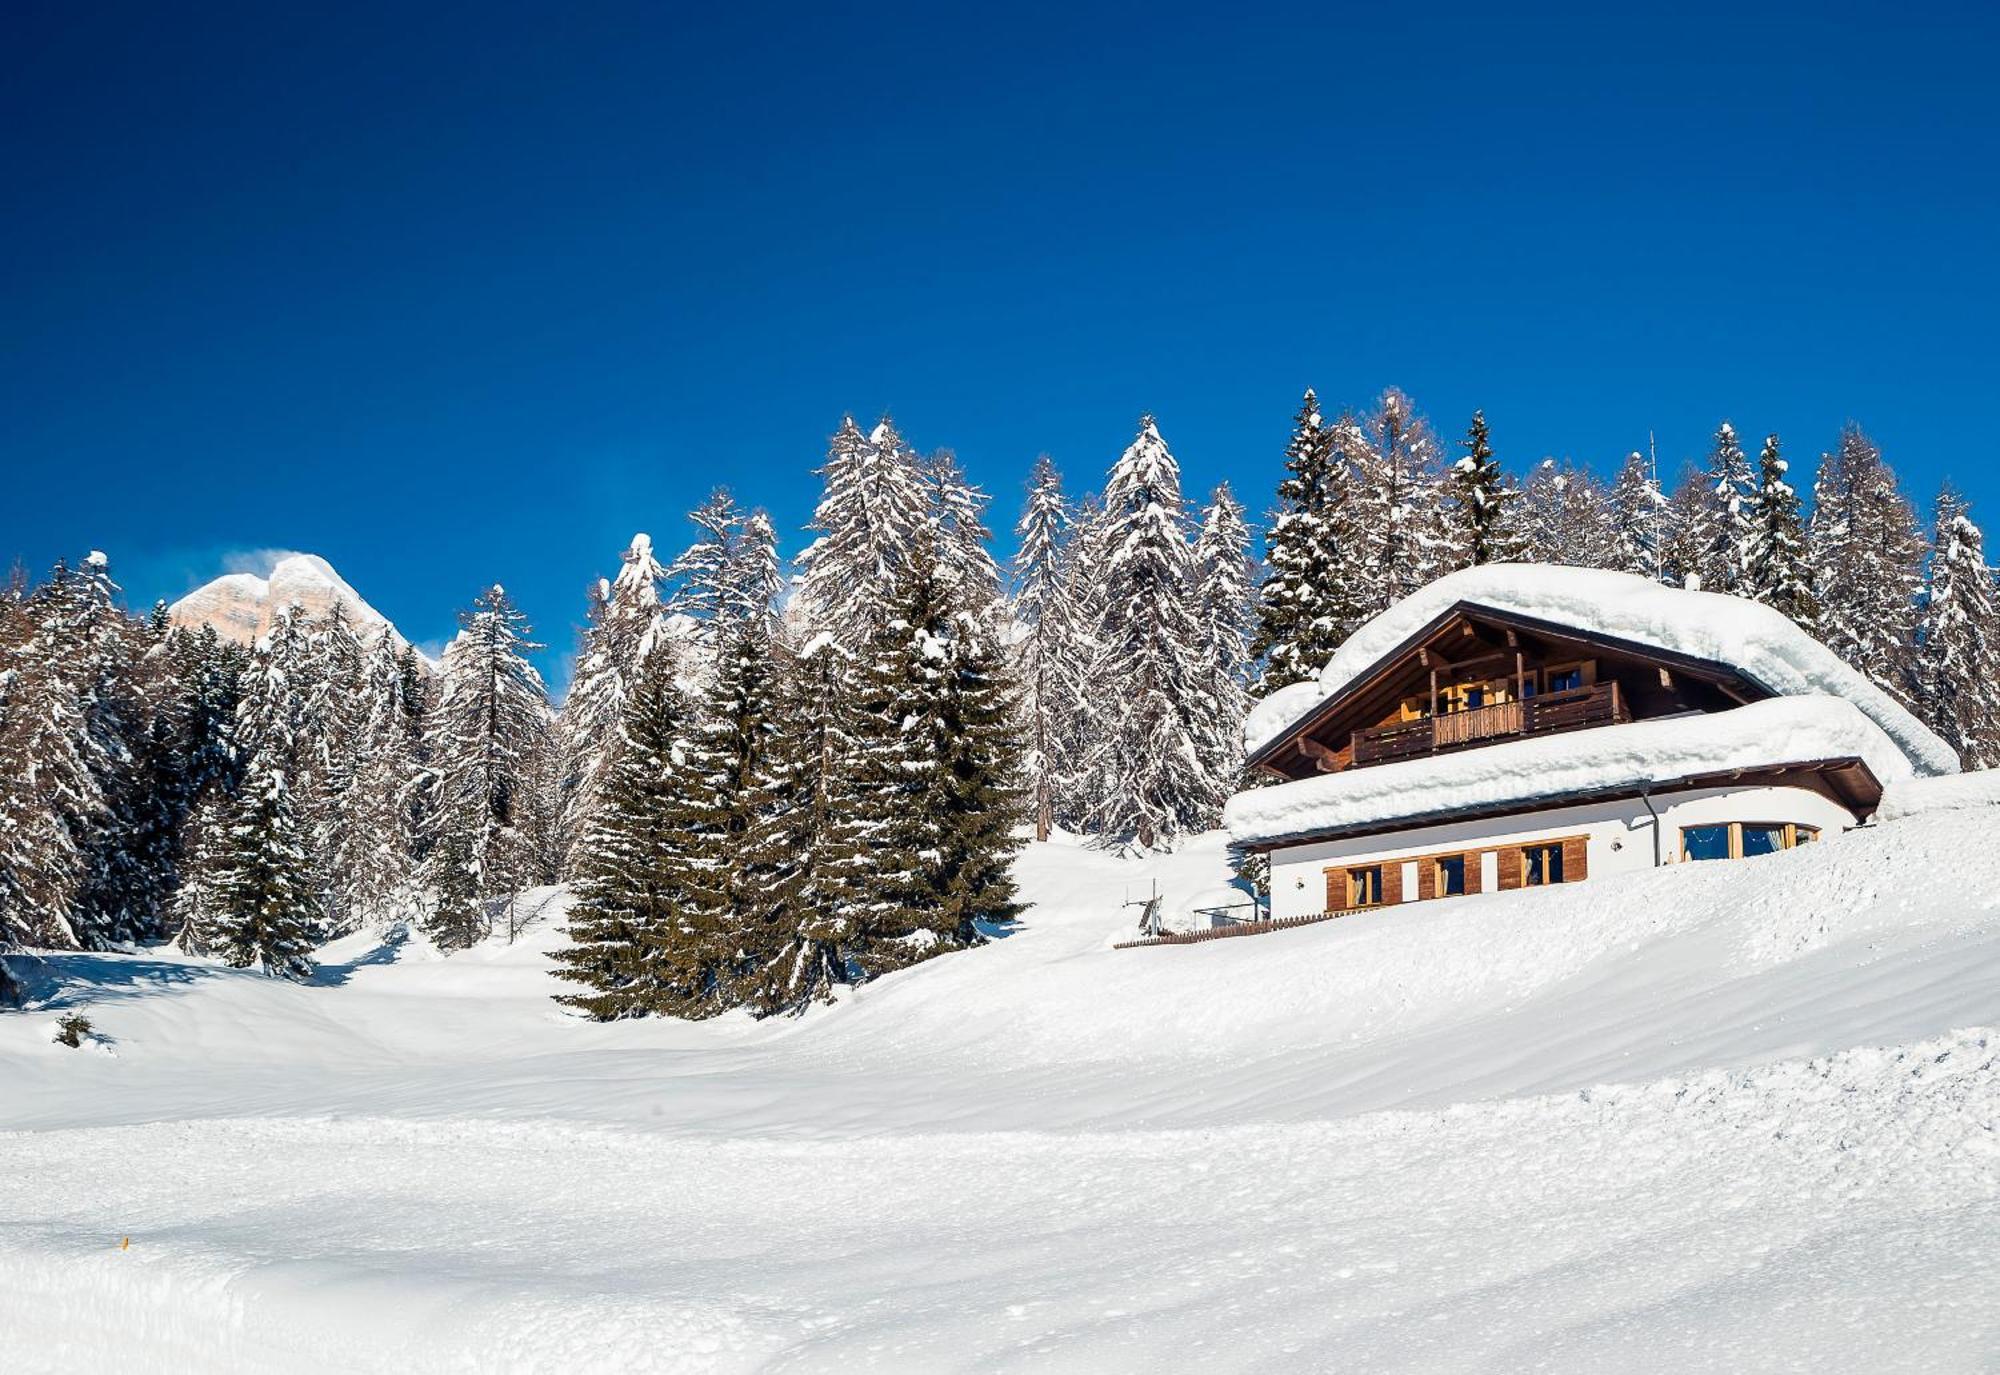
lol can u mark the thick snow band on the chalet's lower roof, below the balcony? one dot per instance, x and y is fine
(1779, 730)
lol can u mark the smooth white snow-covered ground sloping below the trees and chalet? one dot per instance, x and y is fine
(1735, 1118)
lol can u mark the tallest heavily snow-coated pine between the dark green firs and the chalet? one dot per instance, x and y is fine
(1149, 679)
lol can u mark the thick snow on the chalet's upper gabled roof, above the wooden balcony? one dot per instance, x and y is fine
(1753, 639)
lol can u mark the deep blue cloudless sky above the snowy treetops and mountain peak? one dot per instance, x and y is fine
(457, 295)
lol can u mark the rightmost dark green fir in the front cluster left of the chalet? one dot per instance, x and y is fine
(937, 784)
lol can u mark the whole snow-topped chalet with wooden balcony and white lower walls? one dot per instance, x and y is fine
(1513, 726)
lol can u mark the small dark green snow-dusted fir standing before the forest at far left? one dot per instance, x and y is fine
(267, 906)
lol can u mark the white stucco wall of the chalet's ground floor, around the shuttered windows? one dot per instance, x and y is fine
(1621, 838)
